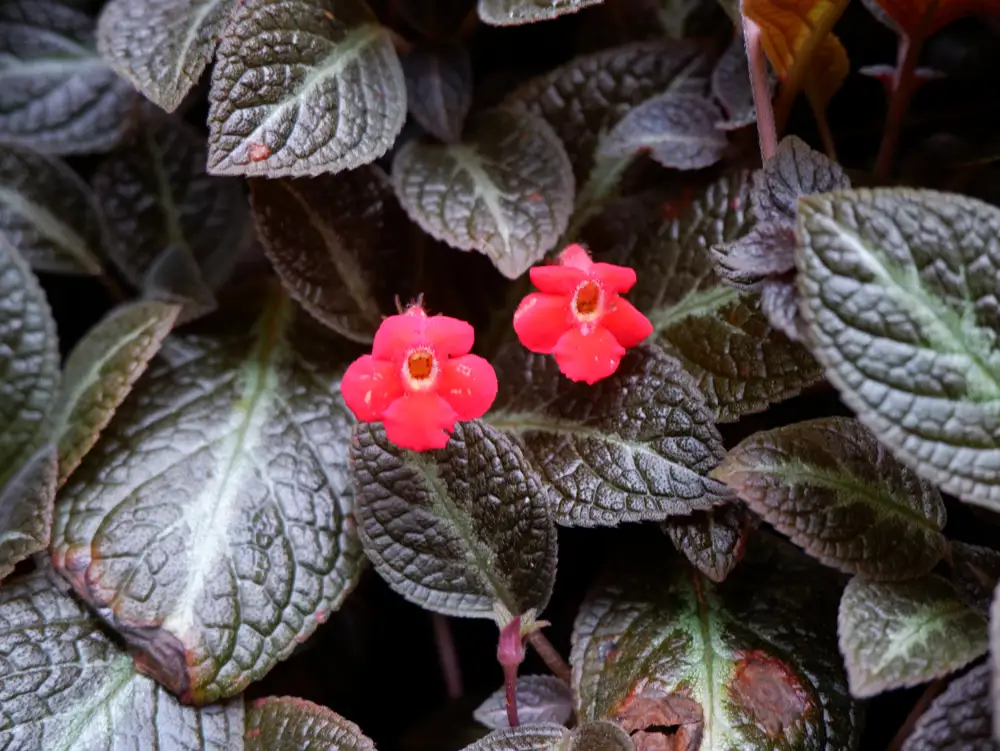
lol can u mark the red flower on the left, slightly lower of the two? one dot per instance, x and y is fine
(419, 379)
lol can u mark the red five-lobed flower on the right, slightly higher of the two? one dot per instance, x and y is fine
(579, 317)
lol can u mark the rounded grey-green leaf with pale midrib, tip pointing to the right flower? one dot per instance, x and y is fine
(506, 190)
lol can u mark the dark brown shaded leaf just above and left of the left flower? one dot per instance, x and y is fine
(340, 244)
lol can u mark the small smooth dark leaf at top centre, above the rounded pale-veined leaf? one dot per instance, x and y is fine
(439, 88)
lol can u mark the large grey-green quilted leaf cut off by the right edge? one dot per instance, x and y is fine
(897, 290)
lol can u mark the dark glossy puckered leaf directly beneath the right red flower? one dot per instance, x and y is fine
(634, 446)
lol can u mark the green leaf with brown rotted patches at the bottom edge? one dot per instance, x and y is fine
(682, 663)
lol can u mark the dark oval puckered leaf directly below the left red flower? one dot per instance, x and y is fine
(460, 530)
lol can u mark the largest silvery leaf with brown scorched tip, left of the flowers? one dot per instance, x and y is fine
(211, 524)
